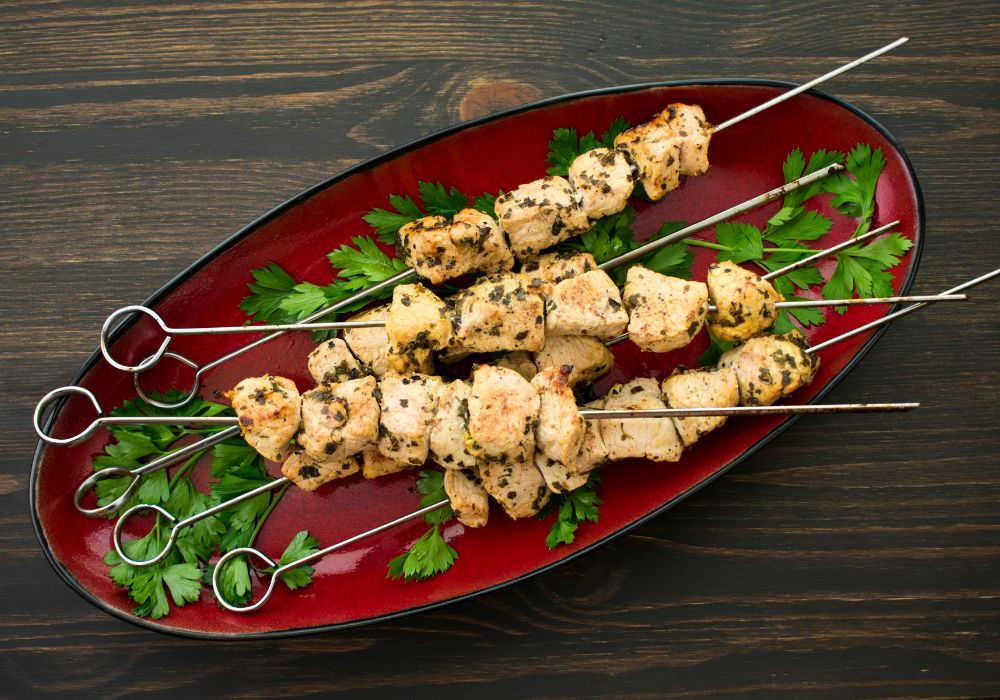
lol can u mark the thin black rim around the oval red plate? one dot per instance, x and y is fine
(289, 204)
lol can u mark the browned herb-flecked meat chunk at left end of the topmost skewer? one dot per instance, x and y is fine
(440, 249)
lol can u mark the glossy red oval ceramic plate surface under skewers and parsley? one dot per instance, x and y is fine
(501, 151)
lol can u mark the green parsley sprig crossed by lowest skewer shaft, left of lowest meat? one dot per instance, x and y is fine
(430, 555)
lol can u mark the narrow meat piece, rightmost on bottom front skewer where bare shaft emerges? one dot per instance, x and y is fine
(560, 430)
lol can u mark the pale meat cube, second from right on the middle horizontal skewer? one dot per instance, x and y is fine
(665, 313)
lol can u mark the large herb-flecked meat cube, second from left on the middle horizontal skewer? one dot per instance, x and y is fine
(499, 314)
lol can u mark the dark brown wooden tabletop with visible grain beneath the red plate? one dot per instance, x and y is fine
(852, 557)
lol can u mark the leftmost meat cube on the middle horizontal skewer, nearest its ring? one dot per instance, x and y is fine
(418, 323)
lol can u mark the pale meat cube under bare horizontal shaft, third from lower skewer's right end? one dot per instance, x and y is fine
(652, 438)
